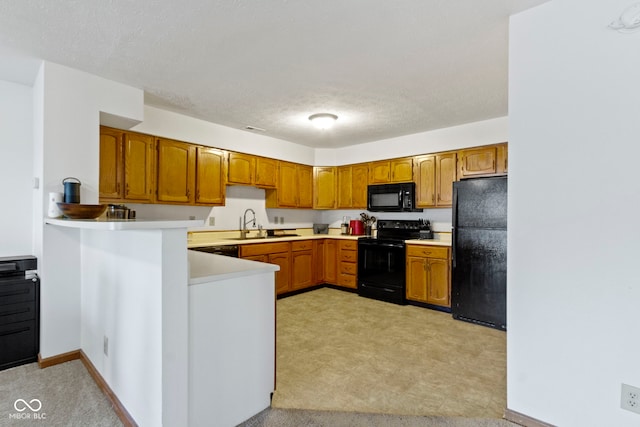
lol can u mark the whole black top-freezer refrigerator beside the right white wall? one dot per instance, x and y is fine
(479, 246)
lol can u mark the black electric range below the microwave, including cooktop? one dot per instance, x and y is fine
(381, 259)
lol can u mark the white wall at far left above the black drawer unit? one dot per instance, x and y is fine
(16, 169)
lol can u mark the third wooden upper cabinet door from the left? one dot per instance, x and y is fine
(176, 171)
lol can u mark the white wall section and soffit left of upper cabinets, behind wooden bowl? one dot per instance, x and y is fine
(67, 105)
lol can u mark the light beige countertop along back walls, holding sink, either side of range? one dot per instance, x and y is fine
(212, 238)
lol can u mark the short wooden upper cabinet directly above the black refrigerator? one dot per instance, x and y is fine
(487, 160)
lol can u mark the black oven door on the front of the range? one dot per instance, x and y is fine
(381, 270)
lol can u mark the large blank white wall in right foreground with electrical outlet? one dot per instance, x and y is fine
(573, 287)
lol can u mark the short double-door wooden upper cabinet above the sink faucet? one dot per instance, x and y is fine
(246, 169)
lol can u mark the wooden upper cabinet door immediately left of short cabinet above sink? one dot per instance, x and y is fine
(210, 176)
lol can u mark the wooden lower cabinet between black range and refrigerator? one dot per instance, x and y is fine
(429, 274)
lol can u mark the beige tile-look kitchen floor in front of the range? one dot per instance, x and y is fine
(339, 351)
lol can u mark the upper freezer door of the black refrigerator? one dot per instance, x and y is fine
(480, 203)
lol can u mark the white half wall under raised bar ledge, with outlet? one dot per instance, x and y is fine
(134, 292)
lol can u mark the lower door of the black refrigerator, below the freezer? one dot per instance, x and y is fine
(479, 277)
